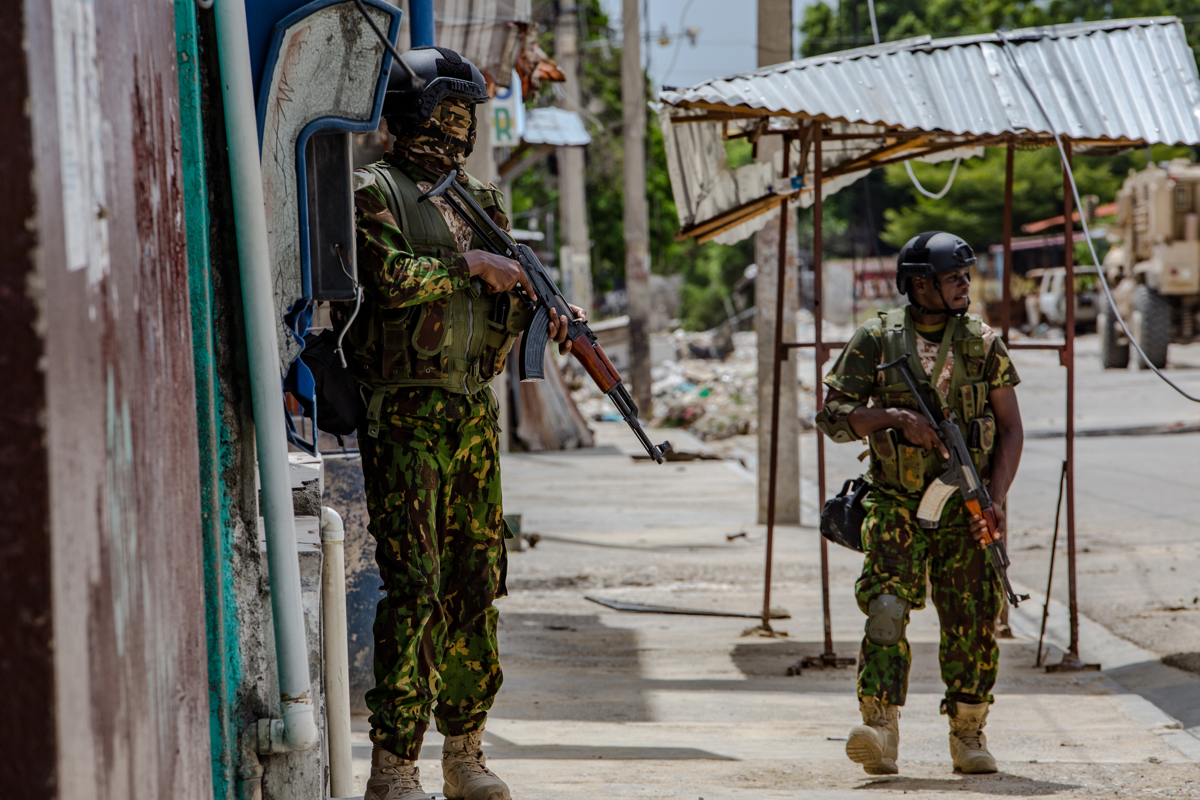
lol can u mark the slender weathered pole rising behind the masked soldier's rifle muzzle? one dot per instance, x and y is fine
(638, 248)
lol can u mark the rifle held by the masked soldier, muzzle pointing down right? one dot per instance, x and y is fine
(550, 302)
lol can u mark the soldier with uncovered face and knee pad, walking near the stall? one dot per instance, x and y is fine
(969, 375)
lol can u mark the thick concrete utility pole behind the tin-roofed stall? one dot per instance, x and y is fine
(776, 46)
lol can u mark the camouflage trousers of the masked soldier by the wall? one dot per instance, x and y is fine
(434, 495)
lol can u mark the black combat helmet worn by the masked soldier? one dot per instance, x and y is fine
(441, 74)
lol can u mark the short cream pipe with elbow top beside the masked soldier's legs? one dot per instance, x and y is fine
(338, 660)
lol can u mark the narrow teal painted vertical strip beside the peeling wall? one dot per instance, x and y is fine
(215, 452)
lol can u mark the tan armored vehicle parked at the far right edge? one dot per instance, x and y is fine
(1155, 269)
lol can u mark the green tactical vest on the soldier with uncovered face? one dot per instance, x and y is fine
(907, 468)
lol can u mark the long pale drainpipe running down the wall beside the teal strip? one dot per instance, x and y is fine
(262, 346)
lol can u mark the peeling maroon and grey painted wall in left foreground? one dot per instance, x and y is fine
(107, 652)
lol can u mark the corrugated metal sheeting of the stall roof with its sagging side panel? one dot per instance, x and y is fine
(1118, 80)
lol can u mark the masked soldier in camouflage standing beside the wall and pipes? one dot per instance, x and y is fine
(439, 318)
